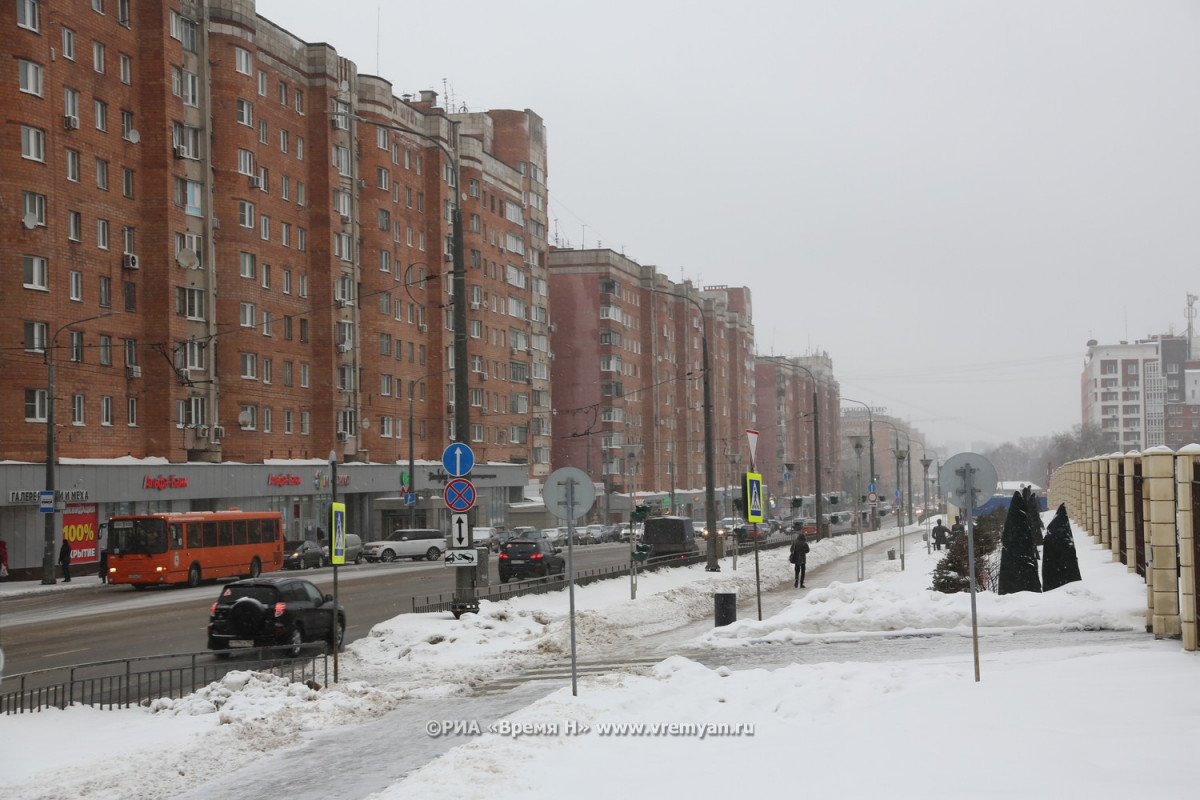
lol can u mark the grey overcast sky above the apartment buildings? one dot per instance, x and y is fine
(949, 197)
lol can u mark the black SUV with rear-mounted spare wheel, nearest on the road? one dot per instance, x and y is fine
(262, 612)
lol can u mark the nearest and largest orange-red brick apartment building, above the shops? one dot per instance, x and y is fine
(233, 248)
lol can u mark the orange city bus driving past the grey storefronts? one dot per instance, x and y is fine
(188, 548)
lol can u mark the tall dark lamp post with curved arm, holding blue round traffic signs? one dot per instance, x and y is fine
(465, 578)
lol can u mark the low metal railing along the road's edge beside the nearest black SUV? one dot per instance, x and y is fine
(123, 683)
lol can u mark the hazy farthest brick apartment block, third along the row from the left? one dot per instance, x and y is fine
(787, 387)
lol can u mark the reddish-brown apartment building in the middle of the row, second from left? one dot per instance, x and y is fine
(628, 377)
